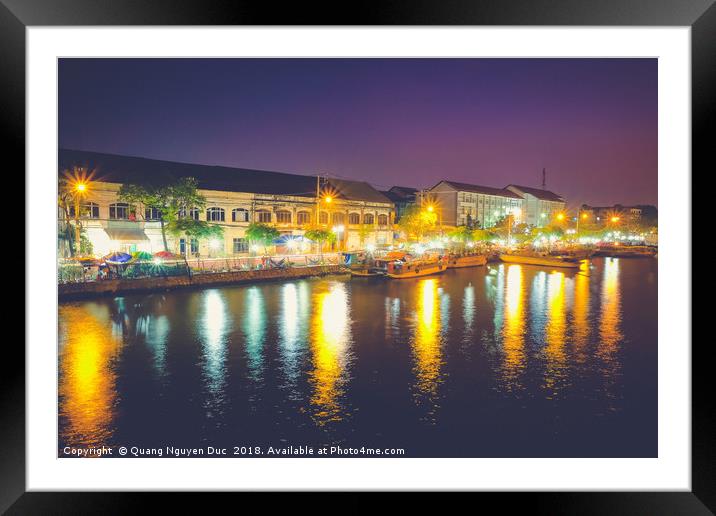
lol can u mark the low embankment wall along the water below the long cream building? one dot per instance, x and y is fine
(70, 291)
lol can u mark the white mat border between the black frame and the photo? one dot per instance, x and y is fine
(670, 471)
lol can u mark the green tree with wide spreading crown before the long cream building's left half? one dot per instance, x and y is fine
(172, 201)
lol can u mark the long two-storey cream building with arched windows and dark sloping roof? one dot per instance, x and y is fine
(358, 214)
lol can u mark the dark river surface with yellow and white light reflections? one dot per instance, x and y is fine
(497, 361)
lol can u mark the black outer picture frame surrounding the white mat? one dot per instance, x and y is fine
(700, 15)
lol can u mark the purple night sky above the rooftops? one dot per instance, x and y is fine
(592, 123)
